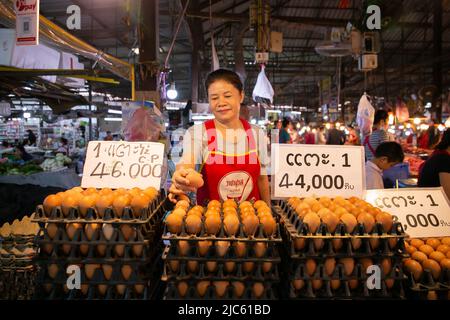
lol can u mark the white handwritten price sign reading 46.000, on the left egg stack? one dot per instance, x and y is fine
(120, 164)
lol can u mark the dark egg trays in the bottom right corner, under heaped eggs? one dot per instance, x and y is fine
(419, 289)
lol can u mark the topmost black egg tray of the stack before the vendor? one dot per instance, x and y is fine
(222, 235)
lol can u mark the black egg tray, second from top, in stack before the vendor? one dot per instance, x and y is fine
(173, 253)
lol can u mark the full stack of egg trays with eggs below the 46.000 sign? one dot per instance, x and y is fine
(111, 239)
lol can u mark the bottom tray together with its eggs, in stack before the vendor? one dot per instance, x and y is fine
(250, 290)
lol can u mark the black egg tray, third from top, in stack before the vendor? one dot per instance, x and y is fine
(257, 274)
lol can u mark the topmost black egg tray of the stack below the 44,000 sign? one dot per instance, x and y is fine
(298, 229)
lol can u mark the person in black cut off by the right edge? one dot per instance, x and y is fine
(435, 172)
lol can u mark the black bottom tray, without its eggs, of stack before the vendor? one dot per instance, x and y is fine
(270, 292)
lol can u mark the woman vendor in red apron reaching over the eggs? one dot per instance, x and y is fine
(230, 153)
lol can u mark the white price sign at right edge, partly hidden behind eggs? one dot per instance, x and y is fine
(423, 212)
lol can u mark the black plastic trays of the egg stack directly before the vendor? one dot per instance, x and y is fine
(271, 279)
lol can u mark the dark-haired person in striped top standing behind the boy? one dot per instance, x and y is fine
(379, 134)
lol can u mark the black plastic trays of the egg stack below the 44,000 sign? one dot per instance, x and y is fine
(390, 245)
